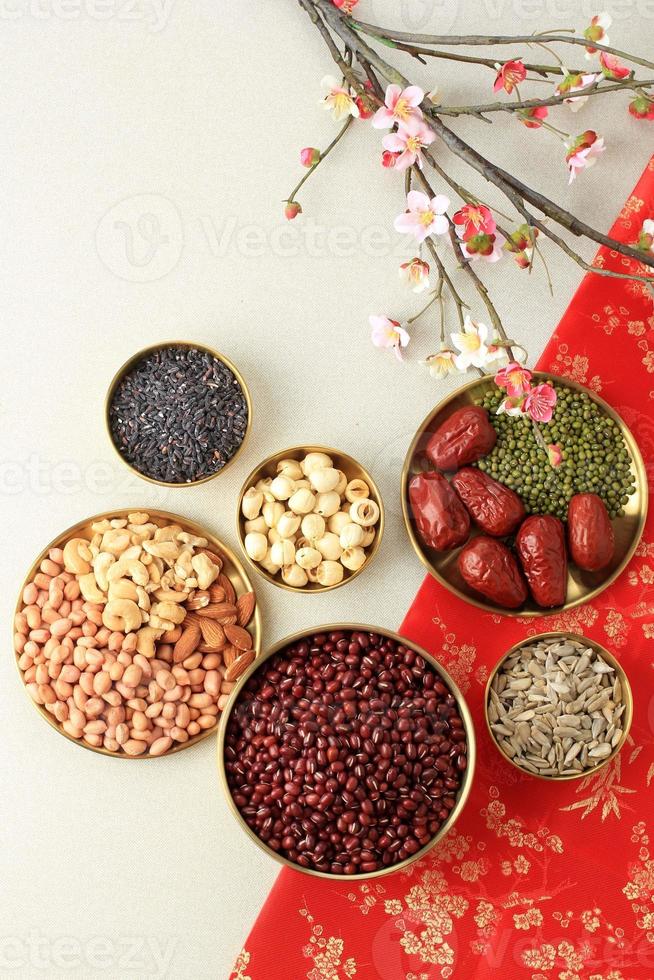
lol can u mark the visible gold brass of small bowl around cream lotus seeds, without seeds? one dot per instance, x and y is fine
(352, 469)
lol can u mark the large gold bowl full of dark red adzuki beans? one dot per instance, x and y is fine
(347, 751)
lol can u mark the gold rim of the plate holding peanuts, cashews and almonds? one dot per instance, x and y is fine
(56, 542)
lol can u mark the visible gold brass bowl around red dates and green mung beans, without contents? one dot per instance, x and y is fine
(582, 586)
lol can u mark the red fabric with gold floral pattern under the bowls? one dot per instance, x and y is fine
(537, 881)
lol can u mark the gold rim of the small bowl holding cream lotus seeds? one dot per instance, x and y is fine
(311, 588)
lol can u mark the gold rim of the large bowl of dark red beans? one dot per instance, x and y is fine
(464, 711)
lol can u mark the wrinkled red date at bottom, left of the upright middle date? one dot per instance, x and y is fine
(489, 567)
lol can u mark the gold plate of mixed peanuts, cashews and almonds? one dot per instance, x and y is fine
(131, 630)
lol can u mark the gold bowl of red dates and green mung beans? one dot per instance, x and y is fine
(523, 518)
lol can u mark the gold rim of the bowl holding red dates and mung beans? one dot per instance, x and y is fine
(479, 603)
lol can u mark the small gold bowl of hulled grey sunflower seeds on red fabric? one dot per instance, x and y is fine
(558, 706)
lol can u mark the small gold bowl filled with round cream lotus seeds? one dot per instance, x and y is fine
(310, 518)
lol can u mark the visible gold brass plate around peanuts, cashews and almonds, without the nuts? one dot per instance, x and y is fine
(232, 568)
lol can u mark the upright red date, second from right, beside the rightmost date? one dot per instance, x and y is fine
(541, 547)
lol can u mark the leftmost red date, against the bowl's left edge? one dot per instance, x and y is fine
(441, 519)
